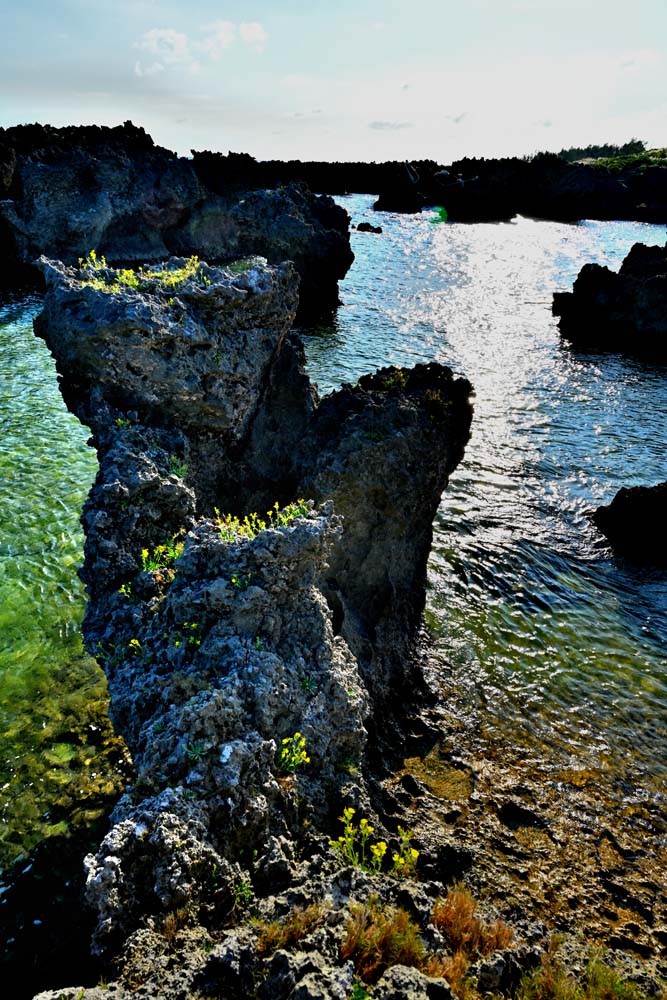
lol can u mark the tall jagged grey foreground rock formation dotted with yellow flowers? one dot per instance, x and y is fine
(215, 653)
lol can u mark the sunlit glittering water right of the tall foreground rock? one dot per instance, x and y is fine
(540, 634)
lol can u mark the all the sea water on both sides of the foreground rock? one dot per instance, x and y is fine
(543, 636)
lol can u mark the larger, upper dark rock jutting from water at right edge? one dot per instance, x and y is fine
(624, 312)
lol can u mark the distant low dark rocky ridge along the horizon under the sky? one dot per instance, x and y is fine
(473, 189)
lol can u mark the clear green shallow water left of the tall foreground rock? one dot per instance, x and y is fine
(51, 693)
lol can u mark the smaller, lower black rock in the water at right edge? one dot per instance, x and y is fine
(634, 523)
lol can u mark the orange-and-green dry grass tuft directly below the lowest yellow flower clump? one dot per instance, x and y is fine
(378, 937)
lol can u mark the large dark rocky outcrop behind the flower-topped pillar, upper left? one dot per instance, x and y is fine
(67, 191)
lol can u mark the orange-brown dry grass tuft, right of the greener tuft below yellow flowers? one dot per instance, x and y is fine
(456, 918)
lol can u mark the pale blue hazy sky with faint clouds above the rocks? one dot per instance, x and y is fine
(345, 79)
